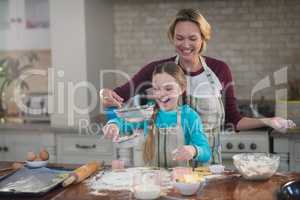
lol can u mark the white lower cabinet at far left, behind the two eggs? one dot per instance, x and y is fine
(14, 145)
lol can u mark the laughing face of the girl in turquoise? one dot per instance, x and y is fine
(166, 91)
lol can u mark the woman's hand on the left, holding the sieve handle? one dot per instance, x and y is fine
(109, 98)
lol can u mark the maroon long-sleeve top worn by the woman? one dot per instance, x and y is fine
(142, 81)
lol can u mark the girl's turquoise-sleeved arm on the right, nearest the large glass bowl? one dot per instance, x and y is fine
(195, 136)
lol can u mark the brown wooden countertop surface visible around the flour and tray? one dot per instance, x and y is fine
(231, 187)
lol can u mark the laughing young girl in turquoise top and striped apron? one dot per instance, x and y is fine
(175, 133)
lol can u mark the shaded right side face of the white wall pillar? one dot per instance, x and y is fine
(99, 45)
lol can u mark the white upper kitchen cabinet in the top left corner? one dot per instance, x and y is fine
(24, 24)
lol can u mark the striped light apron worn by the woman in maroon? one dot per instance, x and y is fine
(211, 111)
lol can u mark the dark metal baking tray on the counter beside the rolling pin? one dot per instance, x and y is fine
(32, 182)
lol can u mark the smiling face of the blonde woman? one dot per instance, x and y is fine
(187, 40)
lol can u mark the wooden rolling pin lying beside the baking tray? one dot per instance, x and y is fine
(82, 173)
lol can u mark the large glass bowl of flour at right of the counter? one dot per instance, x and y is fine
(256, 166)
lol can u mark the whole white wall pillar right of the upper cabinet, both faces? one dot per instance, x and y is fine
(82, 45)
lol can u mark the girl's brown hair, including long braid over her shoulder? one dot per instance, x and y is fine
(176, 72)
